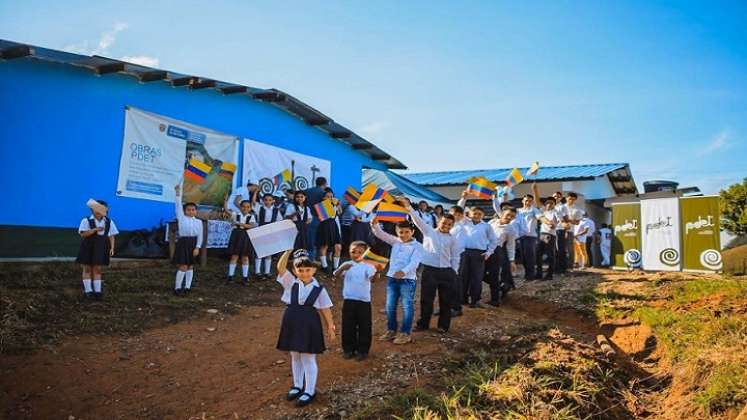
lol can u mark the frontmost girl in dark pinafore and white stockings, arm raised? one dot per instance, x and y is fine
(301, 330)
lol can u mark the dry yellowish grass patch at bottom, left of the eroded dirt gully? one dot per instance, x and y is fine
(558, 379)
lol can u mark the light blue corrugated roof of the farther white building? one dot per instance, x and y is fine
(618, 173)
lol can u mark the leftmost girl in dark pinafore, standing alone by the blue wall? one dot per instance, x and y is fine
(96, 248)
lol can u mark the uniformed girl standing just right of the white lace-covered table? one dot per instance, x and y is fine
(239, 244)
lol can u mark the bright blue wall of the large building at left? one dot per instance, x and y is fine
(61, 131)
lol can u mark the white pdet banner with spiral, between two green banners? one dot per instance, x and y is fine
(660, 221)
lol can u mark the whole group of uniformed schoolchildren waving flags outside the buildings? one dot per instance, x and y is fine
(451, 254)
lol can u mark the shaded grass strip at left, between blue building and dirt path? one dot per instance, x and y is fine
(41, 304)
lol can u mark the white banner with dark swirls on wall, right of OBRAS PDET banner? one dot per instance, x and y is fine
(273, 168)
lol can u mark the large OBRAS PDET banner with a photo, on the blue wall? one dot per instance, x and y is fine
(159, 152)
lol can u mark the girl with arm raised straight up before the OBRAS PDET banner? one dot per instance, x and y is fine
(188, 245)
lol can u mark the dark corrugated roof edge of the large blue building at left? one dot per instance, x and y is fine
(103, 65)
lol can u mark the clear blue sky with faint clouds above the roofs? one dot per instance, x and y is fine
(460, 85)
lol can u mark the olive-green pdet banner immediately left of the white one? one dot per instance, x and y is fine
(626, 243)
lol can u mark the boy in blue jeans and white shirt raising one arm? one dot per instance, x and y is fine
(401, 279)
